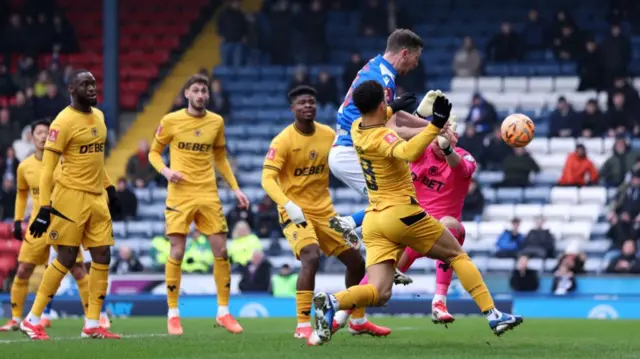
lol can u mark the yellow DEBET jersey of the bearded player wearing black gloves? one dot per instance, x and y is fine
(81, 139)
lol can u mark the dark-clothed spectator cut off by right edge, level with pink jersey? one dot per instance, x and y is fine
(624, 216)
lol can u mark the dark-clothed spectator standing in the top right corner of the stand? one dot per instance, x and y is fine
(617, 53)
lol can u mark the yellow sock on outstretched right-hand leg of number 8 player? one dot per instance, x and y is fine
(472, 281)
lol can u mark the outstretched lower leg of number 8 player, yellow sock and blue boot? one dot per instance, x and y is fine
(447, 249)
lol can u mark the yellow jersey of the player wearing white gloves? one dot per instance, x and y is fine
(301, 162)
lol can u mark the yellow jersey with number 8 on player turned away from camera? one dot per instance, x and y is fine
(383, 157)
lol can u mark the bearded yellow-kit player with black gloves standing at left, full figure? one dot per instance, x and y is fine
(75, 213)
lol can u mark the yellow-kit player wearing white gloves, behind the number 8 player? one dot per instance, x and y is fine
(296, 176)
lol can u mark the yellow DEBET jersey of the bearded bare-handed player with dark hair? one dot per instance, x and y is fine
(193, 143)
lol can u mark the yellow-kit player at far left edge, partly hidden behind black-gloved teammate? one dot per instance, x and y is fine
(33, 251)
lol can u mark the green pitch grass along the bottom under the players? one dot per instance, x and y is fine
(273, 338)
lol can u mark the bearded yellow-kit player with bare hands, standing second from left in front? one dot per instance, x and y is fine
(197, 143)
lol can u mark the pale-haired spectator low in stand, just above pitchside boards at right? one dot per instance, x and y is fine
(569, 265)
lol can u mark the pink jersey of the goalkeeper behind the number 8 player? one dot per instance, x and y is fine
(441, 189)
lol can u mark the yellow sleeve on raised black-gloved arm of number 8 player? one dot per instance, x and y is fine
(390, 145)
